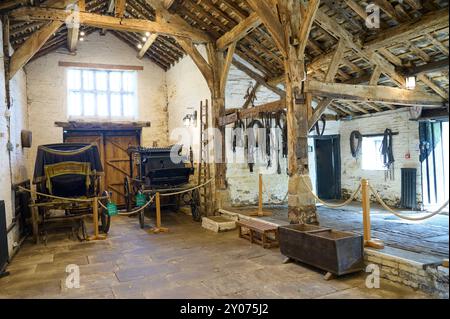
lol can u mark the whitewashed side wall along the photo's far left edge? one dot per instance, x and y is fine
(17, 171)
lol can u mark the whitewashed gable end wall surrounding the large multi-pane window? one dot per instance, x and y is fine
(47, 93)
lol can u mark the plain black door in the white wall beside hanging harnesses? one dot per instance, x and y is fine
(328, 167)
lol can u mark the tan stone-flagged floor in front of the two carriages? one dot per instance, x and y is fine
(188, 262)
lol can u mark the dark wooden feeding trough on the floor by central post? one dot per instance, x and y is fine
(336, 252)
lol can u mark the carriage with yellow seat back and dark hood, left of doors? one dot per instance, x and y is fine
(67, 178)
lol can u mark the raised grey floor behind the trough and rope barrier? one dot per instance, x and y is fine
(428, 237)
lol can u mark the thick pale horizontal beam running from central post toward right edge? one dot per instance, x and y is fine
(367, 93)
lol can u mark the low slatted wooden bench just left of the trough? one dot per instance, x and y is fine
(258, 232)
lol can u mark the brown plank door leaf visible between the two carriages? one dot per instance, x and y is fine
(117, 163)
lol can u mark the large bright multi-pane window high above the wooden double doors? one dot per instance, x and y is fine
(101, 94)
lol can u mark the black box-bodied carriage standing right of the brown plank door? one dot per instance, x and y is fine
(164, 171)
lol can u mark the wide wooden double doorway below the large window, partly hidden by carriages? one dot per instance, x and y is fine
(112, 145)
